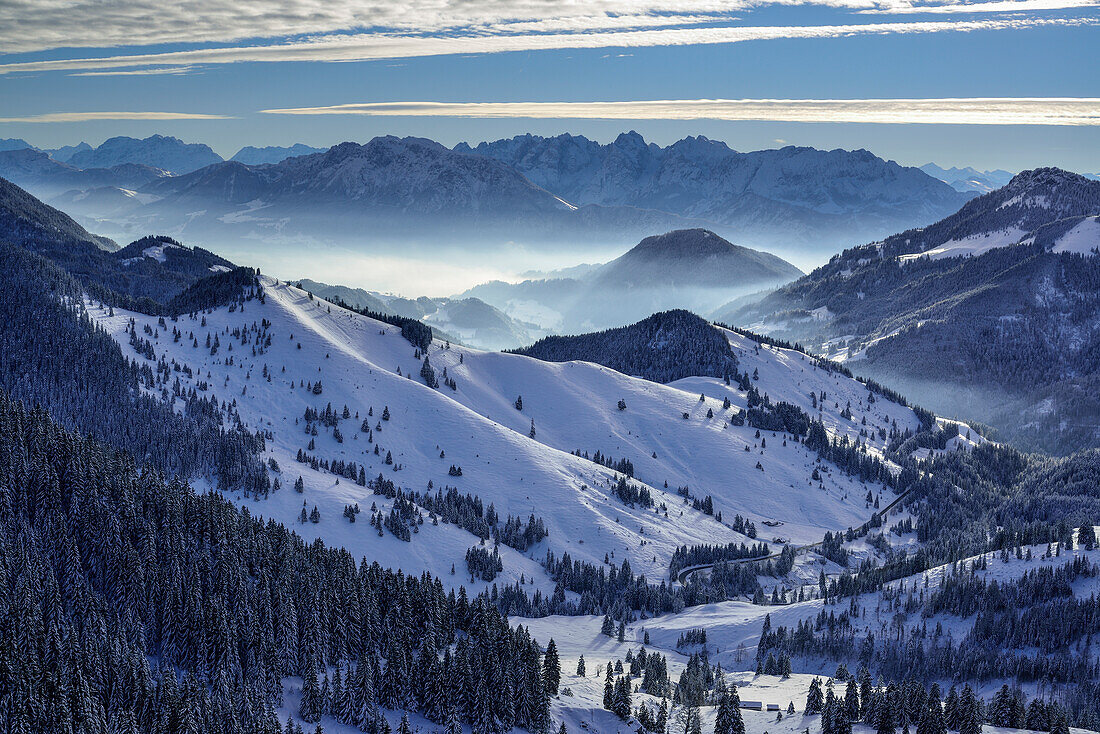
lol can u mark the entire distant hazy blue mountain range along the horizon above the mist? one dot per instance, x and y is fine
(565, 191)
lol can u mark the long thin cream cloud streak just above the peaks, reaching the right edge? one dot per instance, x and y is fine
(998, 111)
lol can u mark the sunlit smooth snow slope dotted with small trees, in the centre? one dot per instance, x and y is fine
(368, 366)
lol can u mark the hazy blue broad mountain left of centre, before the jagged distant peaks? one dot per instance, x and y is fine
(411, 190)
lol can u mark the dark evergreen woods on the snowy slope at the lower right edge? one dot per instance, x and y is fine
(1025, 629)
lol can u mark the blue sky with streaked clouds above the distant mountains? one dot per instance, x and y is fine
(994, 84)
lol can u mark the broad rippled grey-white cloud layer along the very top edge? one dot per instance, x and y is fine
(30, 26)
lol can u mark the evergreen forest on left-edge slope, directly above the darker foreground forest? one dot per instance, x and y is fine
(52, 355)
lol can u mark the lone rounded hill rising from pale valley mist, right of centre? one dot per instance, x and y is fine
(692, 269)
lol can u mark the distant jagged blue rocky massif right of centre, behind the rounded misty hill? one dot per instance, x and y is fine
(793, 196)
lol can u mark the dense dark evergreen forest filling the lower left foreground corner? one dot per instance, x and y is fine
(104, 568)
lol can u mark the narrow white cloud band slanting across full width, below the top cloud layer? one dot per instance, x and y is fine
(371, 47)
